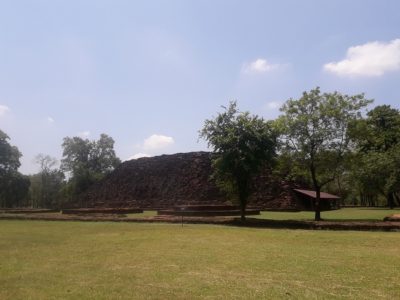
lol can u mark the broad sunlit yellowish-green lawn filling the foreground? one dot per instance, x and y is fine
(105, 260)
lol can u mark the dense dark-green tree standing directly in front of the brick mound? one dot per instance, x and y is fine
(242, 145)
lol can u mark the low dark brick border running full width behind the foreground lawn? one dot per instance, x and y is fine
(250, 222)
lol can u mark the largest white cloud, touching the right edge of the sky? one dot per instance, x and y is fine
(369, 60)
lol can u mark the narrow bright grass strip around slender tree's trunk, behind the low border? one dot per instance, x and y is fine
(353, 213)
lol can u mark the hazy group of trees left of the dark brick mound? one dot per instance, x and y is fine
(84, 163)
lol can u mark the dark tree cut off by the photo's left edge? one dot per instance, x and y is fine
(13, 185)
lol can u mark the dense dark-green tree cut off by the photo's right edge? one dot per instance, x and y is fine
(377, 139)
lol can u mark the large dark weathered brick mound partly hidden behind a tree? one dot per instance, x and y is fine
(178, 179)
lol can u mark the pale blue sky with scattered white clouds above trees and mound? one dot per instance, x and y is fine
(148, 73)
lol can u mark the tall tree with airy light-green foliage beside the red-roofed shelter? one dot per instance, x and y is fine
(314, 132)
